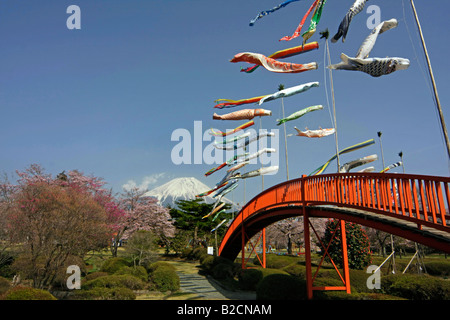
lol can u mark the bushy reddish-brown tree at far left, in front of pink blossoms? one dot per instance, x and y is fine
(51, 219)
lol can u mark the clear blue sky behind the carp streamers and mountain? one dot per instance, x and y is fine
(105, 99)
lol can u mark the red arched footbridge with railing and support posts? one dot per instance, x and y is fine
(410, 206)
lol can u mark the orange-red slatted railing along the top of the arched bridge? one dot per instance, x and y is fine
(421, 199)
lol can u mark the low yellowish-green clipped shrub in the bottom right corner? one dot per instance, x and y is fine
(416, 287)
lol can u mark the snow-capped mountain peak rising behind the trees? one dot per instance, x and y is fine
(182, 189)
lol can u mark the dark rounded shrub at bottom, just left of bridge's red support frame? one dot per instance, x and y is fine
(281, 287)
